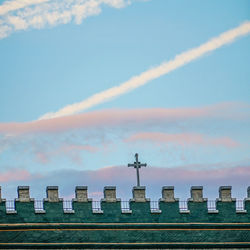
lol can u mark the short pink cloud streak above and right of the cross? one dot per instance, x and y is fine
(183, 139)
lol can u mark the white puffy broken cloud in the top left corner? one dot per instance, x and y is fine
(25, 14)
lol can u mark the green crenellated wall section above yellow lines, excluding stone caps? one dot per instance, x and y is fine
(111, 212)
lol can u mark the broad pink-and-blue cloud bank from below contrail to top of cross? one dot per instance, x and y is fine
(209, 134)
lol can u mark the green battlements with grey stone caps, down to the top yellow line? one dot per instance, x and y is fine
(138, 208)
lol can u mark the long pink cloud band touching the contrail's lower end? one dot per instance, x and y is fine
(116, 117)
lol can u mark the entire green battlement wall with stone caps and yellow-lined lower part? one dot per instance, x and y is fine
(135, 227)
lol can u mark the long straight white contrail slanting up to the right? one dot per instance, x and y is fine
(146, 76)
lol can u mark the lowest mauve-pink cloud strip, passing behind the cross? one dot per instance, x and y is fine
(187, 173)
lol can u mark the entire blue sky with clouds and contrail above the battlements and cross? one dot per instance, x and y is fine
(86, 84)
